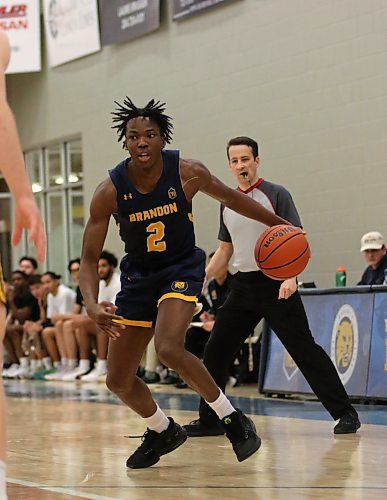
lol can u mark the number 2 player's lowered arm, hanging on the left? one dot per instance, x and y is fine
(103, 205)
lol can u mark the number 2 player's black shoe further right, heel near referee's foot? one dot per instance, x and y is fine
(241, 431)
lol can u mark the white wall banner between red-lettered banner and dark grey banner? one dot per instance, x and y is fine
(72, 29)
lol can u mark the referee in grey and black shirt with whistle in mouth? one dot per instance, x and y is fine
(254, 296)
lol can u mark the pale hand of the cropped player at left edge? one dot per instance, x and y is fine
(27, 216)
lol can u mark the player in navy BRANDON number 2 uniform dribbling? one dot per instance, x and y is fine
(162, 274)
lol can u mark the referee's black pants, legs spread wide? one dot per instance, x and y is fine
(253, 296)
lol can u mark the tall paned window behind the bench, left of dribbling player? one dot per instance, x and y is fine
(56, 175)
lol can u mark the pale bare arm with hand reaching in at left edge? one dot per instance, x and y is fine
(27, 215)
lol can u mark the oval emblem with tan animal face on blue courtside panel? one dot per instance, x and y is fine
(345, 342)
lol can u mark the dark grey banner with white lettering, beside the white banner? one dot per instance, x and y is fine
(123, 20)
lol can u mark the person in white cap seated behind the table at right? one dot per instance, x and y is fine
(374, 250)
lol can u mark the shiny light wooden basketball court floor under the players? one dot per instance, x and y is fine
(71, 440)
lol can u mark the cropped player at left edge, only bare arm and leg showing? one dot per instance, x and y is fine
(27, 215)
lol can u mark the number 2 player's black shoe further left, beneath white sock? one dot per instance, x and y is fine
(155, 444)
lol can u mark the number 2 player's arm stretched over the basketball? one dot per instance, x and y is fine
(197, 177)
